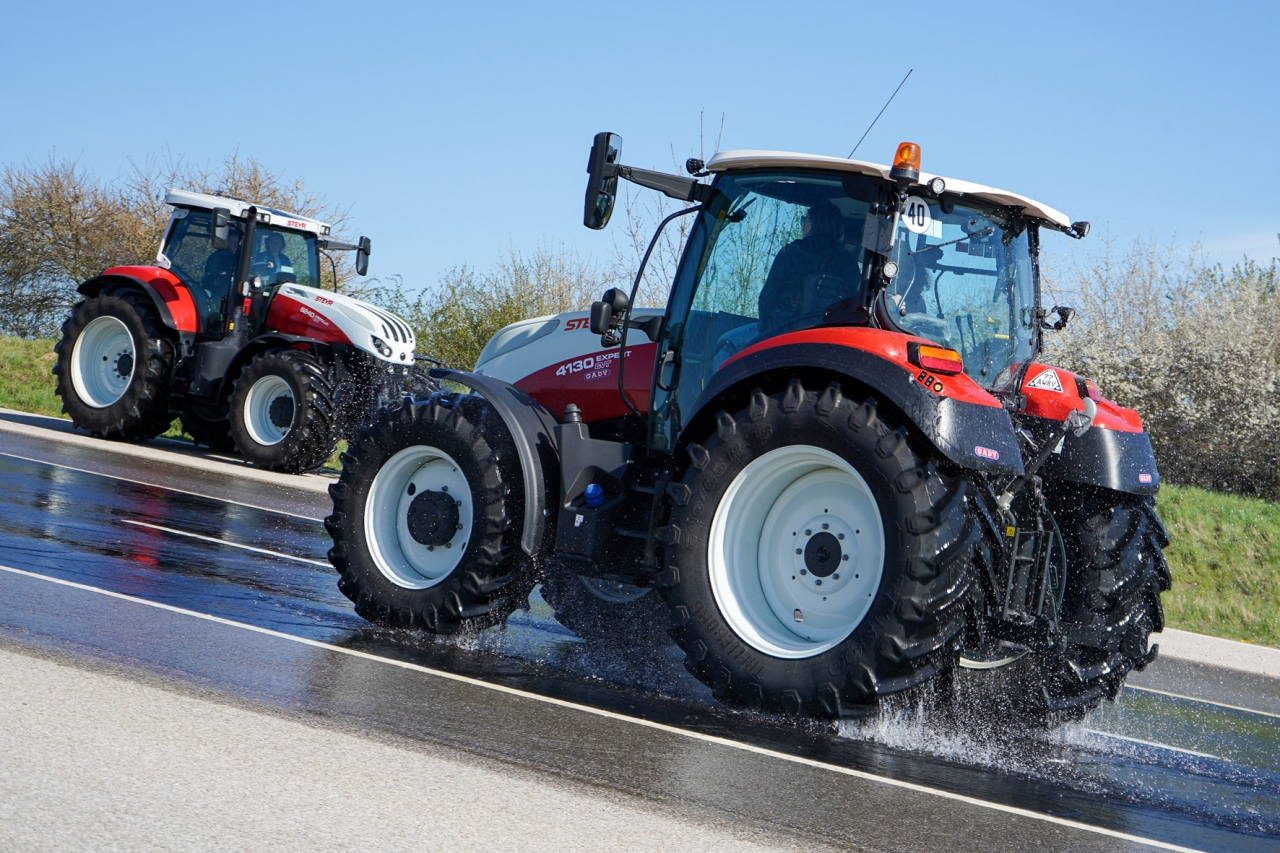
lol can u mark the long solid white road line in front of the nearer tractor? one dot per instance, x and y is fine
(620, 718)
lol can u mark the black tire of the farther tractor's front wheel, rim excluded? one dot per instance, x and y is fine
(314, 434)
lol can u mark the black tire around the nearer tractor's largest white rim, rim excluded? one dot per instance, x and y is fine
(913, 627)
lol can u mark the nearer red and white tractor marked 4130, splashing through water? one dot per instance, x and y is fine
(833, 467)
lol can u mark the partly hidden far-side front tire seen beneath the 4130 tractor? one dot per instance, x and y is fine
(641, 624)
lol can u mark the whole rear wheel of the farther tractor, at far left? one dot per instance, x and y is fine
(113, 368)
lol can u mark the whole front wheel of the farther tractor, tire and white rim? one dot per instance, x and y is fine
(284, 412)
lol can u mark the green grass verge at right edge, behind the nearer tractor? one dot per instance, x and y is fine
(1224, 554)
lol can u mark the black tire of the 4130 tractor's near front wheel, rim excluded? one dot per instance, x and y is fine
(493, 577)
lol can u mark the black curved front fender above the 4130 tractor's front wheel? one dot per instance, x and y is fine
(533, 431)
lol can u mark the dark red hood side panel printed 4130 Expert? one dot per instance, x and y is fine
(592, 384)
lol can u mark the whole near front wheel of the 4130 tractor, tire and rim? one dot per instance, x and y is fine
(426, 519)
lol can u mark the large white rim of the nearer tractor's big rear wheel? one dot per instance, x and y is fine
(776, 600)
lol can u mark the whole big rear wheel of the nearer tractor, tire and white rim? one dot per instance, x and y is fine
(815, 560)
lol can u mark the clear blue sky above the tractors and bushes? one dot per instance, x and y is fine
(458, 131)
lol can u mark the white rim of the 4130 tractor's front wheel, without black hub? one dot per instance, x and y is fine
(403, 559)
